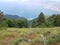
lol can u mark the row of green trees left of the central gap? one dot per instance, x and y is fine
(17, 23)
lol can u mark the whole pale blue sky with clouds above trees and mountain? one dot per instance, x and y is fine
(30, 8)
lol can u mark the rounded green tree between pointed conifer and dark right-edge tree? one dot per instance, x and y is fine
(51, 21)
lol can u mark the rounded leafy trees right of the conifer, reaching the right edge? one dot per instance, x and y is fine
(54, 20)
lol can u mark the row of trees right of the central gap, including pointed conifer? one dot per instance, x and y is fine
(44, 21)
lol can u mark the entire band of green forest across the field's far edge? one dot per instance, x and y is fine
(40, 21)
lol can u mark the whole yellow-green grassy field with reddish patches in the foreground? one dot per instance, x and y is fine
(30, 36)
